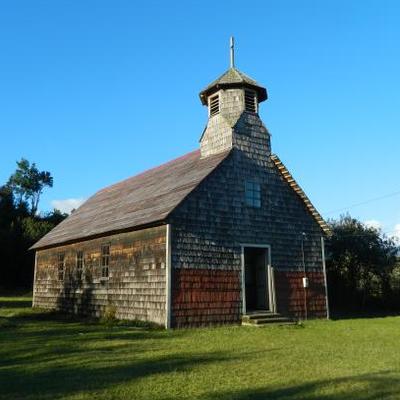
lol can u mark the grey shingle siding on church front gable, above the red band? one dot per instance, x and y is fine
(210, 225)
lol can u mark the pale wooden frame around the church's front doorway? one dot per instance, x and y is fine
(270, 275)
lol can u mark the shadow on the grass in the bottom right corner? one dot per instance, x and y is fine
(379, 386)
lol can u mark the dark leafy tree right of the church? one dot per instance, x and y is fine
(360, 265)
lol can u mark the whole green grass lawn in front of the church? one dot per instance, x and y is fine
(45, 356)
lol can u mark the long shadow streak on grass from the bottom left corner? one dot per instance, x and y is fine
(63, 380)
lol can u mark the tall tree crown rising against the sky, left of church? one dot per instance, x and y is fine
(28, 182)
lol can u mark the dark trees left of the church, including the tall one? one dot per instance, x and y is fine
(21, 225)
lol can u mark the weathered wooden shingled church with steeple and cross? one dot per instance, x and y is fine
(216, 236)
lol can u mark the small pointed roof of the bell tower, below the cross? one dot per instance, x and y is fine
(233, 78)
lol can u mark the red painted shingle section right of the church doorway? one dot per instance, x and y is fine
(291, 297)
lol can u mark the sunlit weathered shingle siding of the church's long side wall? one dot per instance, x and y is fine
(136, 285)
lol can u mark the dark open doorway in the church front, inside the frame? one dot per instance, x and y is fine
(256, 278)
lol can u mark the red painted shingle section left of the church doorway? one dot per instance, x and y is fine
(202, 297)
